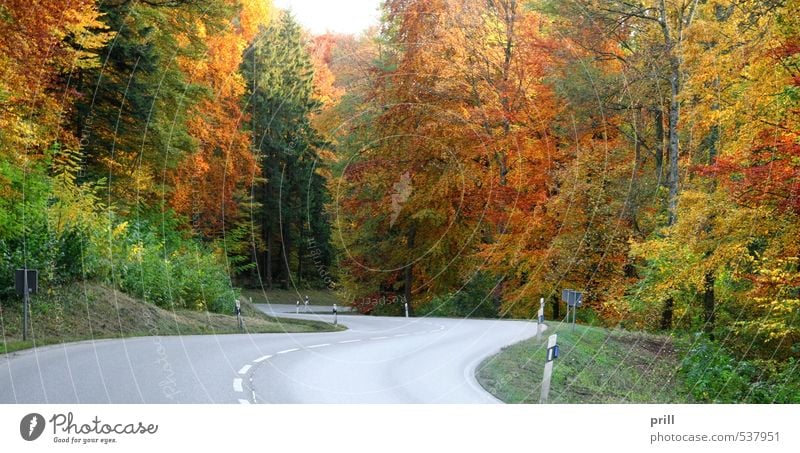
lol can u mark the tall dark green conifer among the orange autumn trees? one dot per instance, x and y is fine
(292, 194)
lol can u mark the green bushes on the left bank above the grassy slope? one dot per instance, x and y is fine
(64, 230)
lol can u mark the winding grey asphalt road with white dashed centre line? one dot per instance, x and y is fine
(377, 360)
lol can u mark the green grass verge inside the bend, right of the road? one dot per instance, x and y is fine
(596, 365)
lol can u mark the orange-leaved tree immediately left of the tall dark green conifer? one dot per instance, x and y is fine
(211, 182)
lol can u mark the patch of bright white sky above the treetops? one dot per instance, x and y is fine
(339, 16)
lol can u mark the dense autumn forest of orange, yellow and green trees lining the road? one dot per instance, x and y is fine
(467, 157)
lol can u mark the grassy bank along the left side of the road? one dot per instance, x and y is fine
(91, 311)
